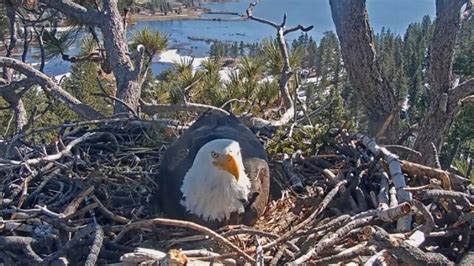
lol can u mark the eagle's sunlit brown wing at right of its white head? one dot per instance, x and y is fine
(259, 174)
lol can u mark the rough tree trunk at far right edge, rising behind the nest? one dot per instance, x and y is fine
(444, 99)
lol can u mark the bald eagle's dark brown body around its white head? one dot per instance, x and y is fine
(180, 156)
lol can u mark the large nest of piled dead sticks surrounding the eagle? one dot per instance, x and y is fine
(88, 197)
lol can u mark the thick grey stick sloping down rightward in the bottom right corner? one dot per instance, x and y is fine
(405, 252)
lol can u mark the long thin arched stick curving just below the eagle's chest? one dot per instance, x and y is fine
(185, 224)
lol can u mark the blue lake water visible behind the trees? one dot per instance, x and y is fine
(393, 14)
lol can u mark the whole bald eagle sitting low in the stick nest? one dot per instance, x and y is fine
(215, 174)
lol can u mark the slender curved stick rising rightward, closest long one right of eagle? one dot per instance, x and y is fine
(310, 218)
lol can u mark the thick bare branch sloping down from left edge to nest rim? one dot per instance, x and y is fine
(51, 87)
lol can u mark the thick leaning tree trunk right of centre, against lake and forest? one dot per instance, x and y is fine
(365, 73)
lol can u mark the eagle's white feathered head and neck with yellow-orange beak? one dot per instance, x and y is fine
(216, 184)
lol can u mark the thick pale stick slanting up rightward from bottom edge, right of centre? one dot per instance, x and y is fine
(332, 239)
